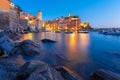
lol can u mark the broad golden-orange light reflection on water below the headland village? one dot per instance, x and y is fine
(78, 40)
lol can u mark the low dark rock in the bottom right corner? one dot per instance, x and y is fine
(104, 75)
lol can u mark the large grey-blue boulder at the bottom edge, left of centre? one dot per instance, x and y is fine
(37, 70)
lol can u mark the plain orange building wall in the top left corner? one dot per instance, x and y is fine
(5, 5)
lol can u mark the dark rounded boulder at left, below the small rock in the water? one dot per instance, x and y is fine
(26, 47)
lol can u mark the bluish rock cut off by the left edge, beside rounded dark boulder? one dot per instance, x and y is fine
(6, 45)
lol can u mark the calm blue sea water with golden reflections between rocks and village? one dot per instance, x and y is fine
(82, 53)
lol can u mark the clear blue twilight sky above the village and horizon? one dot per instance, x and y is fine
(100, 13)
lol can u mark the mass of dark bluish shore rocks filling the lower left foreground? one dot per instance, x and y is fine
(13, 66)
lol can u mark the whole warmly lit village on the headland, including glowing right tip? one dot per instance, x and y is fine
(66, 23)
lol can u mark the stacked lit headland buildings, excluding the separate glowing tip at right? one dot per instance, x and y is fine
(64, 23)
